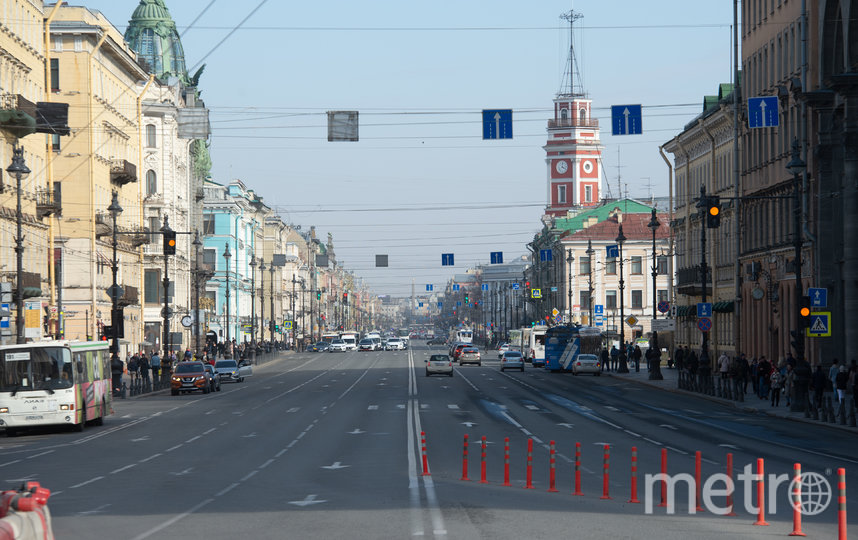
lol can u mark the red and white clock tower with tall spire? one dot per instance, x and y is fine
(573, 152)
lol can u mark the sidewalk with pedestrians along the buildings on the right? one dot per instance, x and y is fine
(752, 403)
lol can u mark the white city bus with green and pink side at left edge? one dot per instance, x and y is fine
(54, 383)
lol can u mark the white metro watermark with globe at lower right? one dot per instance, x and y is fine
(813, 497)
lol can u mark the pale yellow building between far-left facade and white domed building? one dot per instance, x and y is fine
(94, 70)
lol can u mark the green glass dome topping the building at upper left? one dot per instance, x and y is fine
(152, 34)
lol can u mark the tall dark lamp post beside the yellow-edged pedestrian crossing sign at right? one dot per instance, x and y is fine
(797, 166)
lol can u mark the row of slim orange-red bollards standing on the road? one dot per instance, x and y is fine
(552, 487)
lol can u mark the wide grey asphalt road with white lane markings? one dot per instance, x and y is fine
(329, 446)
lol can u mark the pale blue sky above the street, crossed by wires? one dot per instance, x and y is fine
(421, 181)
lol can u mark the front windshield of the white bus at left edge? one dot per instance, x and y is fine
(36, 368)
